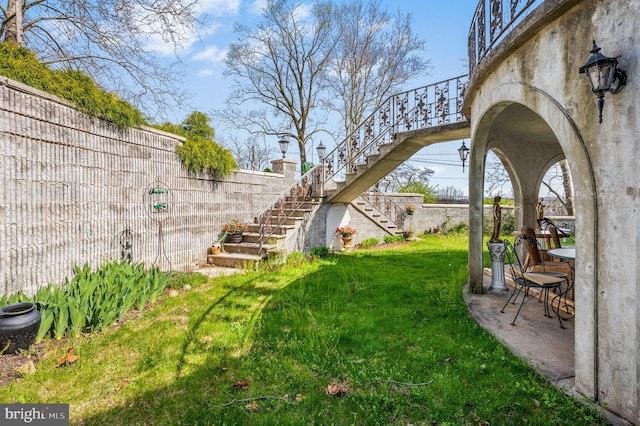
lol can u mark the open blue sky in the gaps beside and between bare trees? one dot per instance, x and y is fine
(444, 26)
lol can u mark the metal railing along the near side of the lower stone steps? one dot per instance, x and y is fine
(287, 202)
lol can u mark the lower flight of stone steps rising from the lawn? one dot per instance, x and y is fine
(250, 252)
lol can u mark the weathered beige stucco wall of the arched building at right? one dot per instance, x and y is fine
(539, 70)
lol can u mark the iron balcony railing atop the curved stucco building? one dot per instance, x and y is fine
(492, 21)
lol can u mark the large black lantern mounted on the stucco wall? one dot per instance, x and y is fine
(604, 76)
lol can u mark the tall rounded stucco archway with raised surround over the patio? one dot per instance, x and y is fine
(530, 134)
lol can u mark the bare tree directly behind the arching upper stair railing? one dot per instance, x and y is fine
(375, 55)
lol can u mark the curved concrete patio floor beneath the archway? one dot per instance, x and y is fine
(537, 339)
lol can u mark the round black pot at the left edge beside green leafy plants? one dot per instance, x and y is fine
(19, 324)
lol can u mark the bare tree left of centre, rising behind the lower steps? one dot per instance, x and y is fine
(277, 65)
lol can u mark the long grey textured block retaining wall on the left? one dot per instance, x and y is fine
(72, 185)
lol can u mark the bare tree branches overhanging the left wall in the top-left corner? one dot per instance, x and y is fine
(108, 40)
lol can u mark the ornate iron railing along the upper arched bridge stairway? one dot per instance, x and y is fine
(424, 107)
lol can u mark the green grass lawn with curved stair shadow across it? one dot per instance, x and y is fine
(373, 337)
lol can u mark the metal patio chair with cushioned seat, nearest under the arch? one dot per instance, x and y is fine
(525, 281)
